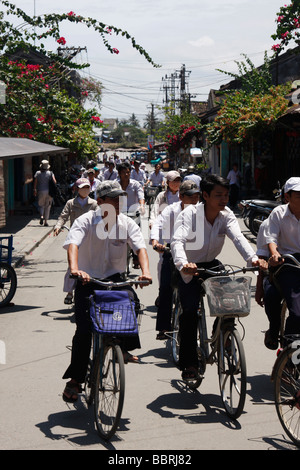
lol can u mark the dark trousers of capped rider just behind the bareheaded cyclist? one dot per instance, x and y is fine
(164, 311)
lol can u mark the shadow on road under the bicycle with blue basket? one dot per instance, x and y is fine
(76, 427)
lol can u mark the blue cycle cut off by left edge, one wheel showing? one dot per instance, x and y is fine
(8, 277)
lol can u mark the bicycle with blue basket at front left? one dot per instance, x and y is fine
(105, 378)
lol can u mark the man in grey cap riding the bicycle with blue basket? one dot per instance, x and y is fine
(97, 247)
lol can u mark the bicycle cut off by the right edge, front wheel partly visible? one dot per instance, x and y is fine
(286, 373)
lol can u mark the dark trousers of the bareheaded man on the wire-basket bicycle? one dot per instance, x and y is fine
(189, 295)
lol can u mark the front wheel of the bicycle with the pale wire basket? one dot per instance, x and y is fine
(232, 372)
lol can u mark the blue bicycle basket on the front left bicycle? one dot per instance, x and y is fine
(114, 312)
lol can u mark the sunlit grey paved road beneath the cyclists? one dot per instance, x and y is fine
(160, 413)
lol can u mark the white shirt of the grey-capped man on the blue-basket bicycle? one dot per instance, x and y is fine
(102, 254)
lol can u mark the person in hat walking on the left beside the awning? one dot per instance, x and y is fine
(41, 189)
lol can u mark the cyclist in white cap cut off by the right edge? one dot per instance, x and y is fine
(284, 238)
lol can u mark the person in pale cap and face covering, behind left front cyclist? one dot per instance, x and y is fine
(73, 209)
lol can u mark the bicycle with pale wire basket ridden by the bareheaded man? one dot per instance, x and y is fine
(228, 297)
